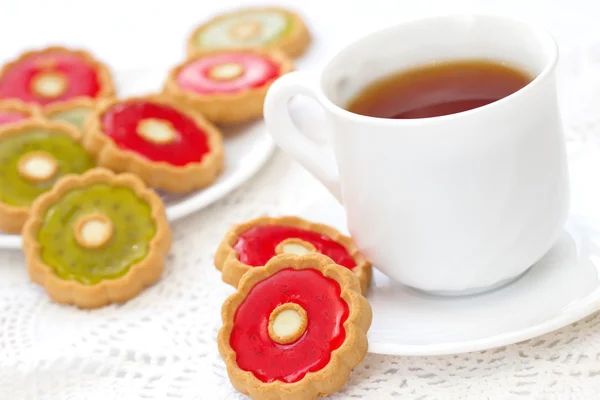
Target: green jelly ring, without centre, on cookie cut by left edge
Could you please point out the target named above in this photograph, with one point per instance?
(17, 191)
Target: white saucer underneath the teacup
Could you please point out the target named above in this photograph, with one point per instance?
(561, 289)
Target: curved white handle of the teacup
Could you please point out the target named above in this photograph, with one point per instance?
(318, 159)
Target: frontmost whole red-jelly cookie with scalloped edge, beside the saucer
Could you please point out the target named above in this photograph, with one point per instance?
(294, 329)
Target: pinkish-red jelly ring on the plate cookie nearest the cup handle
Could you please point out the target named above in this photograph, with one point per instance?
(256, 70)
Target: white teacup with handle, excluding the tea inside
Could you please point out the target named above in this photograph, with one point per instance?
(452, 204)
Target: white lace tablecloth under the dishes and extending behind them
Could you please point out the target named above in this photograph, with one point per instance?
(161, 345)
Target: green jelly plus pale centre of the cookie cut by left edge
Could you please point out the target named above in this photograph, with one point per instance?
(32, 161)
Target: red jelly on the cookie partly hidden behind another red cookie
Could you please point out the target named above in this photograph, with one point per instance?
(257, 245)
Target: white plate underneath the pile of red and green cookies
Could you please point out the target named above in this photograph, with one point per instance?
(247, 148)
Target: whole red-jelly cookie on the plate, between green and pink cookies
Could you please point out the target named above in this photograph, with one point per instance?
(168, 145)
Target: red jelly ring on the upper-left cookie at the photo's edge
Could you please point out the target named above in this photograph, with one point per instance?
(82, 78)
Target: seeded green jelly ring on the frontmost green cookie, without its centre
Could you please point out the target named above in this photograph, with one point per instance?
(133, 230)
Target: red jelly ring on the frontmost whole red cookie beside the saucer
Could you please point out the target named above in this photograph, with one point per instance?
(326, 313)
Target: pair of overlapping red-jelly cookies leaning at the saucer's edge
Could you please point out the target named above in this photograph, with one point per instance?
(298, 323)
